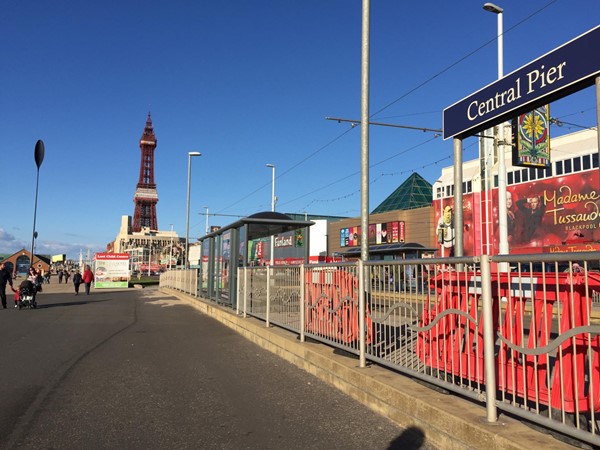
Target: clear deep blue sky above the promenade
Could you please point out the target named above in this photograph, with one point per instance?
(246, 83)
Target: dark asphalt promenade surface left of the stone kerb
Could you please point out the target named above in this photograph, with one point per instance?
(137, 369)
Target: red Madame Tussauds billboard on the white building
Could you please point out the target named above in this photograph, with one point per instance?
(559, 214)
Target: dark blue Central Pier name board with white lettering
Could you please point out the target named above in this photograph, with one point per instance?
(568, 68)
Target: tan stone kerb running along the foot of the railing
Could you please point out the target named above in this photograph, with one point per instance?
(445, 421)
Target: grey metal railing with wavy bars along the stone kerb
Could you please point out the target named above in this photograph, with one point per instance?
(526, 341)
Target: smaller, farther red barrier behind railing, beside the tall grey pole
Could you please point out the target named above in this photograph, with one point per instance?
(332, 305)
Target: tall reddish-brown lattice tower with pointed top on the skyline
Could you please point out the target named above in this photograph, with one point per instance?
(146, 197)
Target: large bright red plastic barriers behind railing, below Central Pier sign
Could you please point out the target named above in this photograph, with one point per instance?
(569, 379)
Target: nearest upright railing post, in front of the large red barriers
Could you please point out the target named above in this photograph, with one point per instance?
(488, 340)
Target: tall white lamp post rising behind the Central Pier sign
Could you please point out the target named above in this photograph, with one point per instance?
(499, 131)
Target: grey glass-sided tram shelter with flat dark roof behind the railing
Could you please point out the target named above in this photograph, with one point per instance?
(228, 248)
